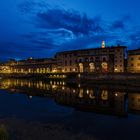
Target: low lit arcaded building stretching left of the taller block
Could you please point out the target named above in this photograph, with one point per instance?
(30, 66)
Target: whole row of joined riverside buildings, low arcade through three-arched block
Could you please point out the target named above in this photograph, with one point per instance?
(103, 59)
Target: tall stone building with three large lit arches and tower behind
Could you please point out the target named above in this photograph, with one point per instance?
(105, 59)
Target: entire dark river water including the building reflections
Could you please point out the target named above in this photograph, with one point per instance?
(37, 110)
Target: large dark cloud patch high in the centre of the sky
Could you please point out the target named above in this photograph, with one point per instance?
(70, 20)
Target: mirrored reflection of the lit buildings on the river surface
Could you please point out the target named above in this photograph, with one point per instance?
(100, 99)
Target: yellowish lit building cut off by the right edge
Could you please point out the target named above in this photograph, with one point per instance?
(134, 61)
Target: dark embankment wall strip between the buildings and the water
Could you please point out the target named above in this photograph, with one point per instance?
(125, 79)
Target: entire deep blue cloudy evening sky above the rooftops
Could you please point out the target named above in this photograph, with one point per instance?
(40, 28)
